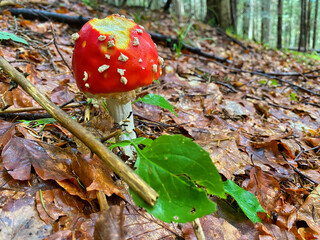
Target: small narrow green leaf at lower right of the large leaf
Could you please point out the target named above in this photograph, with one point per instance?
(246, 200)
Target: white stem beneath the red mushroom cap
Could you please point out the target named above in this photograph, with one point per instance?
(122, 115)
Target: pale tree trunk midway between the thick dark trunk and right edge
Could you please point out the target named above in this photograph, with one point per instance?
(265, 21)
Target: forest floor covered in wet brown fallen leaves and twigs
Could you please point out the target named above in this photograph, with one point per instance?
(257, 114)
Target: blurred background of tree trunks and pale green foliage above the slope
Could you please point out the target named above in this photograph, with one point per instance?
(288, 24)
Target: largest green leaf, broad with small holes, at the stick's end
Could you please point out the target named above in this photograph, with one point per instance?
(174, 166)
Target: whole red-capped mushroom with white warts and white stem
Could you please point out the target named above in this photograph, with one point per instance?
(112, 57)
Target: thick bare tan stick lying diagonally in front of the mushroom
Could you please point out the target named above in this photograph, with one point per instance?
(117, 165)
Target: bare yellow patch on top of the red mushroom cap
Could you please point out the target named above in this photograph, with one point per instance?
(117, 26)
